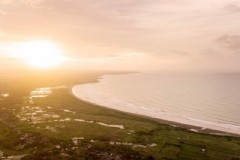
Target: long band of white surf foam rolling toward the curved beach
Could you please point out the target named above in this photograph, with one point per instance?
(88, 92)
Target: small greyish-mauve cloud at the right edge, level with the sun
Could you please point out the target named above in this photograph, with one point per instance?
(230, 41)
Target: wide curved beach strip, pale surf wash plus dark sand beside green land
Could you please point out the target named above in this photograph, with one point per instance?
(87, 93)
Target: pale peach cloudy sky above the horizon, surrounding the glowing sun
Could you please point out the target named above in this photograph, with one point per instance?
(141, 35)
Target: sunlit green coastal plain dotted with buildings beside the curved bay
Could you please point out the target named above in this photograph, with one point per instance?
(45, 130)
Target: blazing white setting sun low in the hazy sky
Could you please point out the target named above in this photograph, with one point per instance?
(40, 54)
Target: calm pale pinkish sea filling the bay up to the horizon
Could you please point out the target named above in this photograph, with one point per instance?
(211, 99)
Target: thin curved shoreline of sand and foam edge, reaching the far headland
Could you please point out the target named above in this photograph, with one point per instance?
(192, 125)
